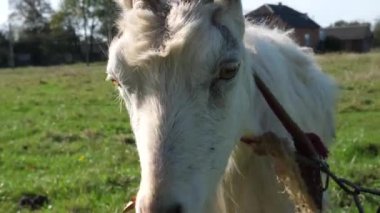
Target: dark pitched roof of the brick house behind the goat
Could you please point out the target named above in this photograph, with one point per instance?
(288, 15)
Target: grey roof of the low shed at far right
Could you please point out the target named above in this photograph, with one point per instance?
(349, 32)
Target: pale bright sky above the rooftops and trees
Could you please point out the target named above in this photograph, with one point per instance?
(324, 12)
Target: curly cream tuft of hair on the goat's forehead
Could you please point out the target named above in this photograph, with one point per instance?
(184, 30)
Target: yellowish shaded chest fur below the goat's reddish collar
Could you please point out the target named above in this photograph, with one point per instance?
(250, 185)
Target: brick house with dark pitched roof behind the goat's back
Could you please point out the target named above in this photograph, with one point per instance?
(306, 31)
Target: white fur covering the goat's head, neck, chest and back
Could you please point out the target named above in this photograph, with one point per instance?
(186, 133)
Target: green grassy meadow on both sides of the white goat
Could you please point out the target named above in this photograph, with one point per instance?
(64, 135)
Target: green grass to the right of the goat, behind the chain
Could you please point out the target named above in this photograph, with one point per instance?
(356, 152)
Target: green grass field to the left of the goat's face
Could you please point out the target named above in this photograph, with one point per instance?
(63, 135)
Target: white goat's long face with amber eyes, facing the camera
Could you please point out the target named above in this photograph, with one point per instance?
(177, 67)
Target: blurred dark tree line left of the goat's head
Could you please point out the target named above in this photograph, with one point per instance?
(78, 31)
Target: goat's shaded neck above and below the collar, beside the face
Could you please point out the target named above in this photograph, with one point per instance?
(249, 183)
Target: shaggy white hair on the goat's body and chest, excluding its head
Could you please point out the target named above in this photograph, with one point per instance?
(308, 96)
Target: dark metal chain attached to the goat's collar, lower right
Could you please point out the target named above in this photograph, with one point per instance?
(347, 186)
